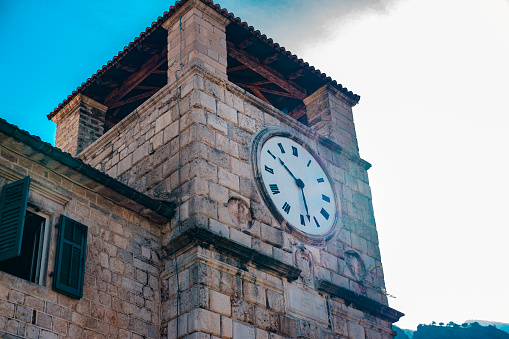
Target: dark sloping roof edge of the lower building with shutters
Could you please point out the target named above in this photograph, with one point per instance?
(32, 147)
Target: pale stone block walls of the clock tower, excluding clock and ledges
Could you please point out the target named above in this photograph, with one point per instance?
(217, 125)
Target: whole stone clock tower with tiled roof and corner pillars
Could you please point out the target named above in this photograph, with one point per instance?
(275, 235)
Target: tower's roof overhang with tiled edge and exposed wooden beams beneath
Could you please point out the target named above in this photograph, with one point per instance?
(255, 62)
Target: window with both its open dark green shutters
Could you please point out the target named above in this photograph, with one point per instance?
(24, 241)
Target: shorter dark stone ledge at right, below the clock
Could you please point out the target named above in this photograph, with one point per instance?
(359, 302)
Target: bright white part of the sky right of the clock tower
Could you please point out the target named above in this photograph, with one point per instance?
(433, 117)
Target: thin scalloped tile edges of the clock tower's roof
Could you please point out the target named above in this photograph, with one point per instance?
(160, 20)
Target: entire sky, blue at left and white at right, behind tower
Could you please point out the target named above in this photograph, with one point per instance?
(433, 77)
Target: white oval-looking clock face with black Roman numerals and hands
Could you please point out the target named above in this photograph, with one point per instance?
(297, 186)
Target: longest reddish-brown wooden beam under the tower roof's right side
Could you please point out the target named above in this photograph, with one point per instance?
(266, 72)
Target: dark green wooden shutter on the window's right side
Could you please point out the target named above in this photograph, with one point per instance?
(69, 273)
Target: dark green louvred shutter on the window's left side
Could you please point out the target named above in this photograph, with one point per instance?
(13, 205)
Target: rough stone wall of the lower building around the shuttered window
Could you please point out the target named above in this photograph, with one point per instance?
(121, 297)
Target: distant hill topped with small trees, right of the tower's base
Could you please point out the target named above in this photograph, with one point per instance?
(455, 331)
